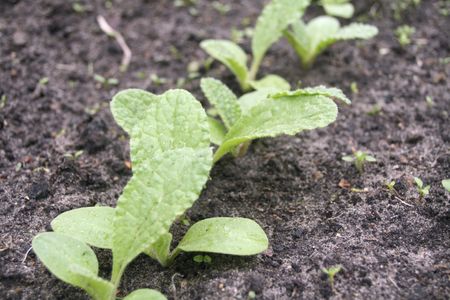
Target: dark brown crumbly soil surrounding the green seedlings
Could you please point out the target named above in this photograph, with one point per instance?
(298, 188)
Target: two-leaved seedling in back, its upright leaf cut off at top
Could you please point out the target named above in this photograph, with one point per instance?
(274, 19)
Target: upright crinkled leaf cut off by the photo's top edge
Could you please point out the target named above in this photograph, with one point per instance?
(275, 18)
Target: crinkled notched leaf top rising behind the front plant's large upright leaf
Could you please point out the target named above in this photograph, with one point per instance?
(169, 121)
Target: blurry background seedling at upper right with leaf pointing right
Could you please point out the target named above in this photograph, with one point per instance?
(310, 40)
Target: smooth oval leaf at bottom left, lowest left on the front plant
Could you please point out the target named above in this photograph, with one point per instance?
(73, 262)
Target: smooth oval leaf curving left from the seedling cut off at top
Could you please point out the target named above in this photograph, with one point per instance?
(230, 54)
